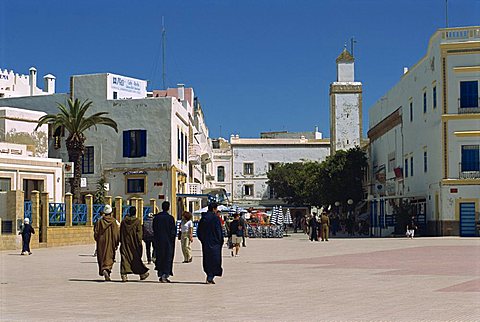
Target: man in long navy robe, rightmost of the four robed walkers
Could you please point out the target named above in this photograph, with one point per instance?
(209, 232)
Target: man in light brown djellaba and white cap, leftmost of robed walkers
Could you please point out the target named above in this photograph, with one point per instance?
(107, 235)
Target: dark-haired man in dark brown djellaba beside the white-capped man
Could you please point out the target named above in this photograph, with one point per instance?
(131, 247)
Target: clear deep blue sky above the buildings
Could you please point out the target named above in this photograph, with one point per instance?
(256, 65)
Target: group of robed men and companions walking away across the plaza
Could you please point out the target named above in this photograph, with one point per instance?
(159, 231)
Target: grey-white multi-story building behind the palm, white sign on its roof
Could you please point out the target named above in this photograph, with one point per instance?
(149, 157)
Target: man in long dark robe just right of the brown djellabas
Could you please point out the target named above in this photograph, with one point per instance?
(164, 232)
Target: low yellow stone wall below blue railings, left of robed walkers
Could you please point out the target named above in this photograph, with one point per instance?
(66, 236)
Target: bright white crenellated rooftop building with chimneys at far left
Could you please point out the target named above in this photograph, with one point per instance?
(16, 85)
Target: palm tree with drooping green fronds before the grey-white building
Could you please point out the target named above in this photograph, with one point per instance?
(73, 119)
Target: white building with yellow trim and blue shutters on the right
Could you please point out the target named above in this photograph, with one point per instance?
(425, 136)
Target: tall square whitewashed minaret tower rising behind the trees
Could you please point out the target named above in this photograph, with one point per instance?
(345, 106)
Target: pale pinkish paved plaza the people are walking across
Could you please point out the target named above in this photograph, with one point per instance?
(290, 279)
